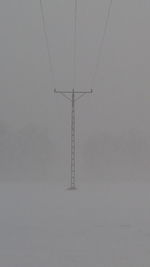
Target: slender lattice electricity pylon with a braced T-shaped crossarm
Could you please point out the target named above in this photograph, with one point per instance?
(71, 96)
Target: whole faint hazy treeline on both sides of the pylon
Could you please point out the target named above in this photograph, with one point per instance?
(30, 153)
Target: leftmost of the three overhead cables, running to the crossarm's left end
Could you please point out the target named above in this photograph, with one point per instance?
(51, 69)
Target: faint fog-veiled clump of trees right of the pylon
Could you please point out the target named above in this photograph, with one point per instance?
(118, 156)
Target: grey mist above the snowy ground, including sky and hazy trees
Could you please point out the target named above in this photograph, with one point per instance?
(113, 130)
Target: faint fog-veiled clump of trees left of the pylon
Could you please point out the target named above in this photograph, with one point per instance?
(27, 151)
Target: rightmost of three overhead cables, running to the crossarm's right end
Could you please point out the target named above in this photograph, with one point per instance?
(100, 48)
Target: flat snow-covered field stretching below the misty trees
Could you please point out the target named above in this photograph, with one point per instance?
(101, 225)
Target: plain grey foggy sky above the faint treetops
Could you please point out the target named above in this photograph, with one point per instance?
(120, 103)
